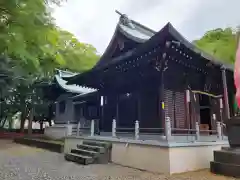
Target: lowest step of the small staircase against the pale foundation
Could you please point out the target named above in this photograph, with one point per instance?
(80, 159)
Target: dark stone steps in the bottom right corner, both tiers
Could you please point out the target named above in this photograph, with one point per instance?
(226, 162)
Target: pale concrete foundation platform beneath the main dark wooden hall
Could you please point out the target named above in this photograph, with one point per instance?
(156, 156)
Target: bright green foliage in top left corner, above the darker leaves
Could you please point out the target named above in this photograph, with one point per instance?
(24, 32)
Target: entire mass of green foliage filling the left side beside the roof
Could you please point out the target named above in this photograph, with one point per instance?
(31, 47)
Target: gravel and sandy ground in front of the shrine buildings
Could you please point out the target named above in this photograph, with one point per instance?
(19, 162)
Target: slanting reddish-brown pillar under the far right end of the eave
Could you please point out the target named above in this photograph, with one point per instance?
(225, 95)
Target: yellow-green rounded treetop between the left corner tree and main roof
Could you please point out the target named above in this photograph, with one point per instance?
(71, 54)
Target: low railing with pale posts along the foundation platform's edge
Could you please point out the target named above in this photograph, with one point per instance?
(168, 134)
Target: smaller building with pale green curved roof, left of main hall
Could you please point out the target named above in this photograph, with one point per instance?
(67, 108)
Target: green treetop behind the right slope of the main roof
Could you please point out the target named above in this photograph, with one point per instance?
(220, 43)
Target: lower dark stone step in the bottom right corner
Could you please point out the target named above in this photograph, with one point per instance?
(225, 169)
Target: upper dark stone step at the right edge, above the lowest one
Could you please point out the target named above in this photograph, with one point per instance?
(230, 157)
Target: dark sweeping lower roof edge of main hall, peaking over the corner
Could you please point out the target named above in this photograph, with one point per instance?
(167, 31)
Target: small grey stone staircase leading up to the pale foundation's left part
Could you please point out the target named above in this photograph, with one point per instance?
(90, 152)
